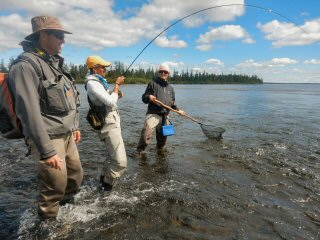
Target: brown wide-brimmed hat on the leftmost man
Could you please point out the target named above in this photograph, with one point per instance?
(40, 23)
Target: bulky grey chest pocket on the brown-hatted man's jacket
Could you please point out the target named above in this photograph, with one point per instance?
(57, 97)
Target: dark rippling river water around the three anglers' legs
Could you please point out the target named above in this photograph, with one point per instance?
(261, 181)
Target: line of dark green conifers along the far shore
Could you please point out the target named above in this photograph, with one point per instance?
(140, 75)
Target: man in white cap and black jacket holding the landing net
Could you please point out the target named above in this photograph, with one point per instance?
(160, 89)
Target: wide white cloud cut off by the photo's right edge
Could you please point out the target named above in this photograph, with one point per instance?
(289, 34)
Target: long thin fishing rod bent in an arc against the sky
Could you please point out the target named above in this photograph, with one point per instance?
(205, 9)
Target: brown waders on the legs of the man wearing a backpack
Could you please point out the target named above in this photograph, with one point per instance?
(55, 185)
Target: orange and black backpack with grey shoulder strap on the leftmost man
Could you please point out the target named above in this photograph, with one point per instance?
(10, 124)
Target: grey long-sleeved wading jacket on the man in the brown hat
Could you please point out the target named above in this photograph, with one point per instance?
(47, 106)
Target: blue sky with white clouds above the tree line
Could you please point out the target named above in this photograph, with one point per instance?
(277, 40)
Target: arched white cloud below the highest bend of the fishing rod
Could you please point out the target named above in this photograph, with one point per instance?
(224, 33)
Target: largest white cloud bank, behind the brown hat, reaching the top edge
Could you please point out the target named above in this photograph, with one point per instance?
(96, 25)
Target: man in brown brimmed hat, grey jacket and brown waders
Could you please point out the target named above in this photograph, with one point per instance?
(46, 102)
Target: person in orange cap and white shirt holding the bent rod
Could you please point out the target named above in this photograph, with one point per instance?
(100, 94)
